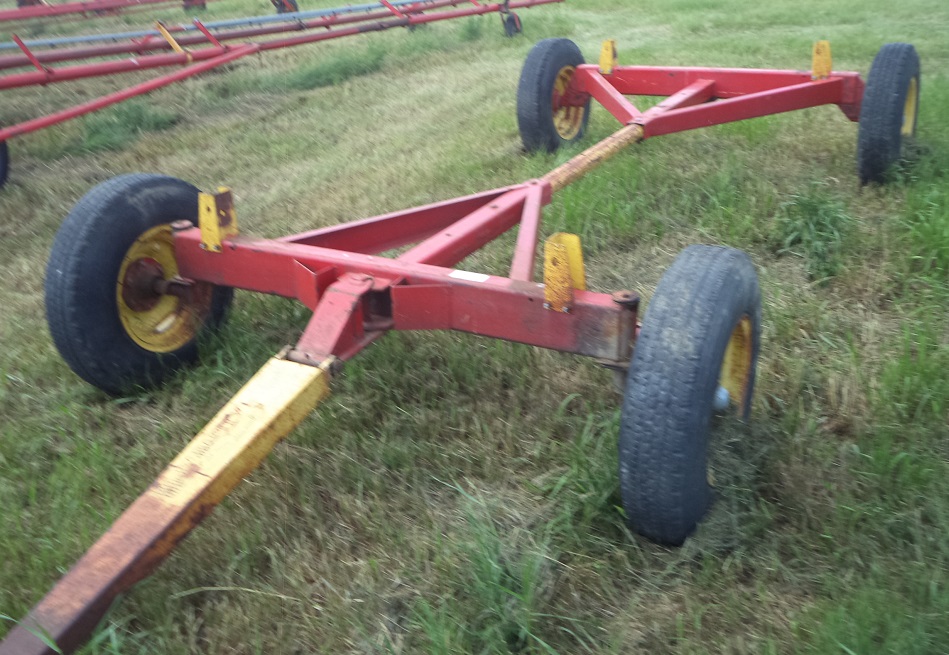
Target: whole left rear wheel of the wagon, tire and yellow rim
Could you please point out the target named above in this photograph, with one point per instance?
(546, 116)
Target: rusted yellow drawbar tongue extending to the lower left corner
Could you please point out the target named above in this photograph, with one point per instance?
(265, 410)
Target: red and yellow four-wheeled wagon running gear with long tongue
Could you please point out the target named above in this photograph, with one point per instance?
(144, 263)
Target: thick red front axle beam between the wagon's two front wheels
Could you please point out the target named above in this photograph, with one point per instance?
(450, 299)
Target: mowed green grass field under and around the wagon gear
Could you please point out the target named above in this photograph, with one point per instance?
(460, 495)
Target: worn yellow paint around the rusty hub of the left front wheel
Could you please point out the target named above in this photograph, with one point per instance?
(170, 322)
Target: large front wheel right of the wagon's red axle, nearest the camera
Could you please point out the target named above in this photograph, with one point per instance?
(699, 339)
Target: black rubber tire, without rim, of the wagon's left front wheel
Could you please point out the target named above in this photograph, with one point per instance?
(83, 269)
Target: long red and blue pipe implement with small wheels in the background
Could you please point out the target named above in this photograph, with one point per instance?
(167, 47)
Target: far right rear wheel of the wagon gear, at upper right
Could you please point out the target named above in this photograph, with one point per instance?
(888, 111)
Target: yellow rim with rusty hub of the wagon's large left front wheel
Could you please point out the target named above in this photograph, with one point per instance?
(156, 322)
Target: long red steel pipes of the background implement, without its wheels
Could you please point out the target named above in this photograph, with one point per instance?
(214, 54)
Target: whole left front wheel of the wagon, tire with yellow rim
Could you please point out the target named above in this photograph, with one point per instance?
(106, 315)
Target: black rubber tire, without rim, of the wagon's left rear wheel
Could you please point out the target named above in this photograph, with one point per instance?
(535, 114)
